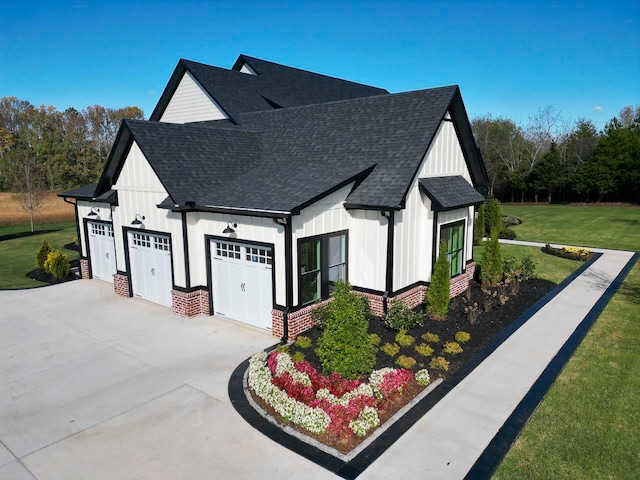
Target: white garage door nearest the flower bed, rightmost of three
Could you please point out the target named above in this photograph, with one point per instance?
(242, 282)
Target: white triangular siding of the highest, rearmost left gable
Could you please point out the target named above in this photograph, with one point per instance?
(191, 103)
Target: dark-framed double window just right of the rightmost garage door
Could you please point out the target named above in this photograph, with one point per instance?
(322, 261)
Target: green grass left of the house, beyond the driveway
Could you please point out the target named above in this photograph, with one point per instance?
(18, 255)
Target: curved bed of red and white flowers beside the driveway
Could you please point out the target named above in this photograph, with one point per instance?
(319, 403)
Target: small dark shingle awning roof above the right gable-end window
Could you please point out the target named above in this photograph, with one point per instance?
(447, 193)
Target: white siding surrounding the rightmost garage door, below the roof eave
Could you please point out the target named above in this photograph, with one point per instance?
(248, 230)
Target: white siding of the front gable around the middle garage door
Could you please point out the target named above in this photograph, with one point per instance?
(139, 192)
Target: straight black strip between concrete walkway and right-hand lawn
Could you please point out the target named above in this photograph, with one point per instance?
(494, 453)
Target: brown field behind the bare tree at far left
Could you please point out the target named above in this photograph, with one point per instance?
(53, 209)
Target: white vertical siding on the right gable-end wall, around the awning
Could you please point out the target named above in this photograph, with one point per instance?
(413, 242)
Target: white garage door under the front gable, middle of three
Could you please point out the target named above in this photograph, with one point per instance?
(150, 263)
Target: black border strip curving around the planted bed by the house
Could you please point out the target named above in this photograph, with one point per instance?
(351, 469)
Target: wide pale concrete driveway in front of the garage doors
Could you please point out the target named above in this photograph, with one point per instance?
(94, 386)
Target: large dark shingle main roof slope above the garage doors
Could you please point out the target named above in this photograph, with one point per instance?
(283, 159)
